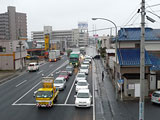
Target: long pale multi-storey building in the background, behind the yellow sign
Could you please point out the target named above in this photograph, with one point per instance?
(65, 38)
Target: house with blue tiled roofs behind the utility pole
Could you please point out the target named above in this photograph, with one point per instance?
(128, 54)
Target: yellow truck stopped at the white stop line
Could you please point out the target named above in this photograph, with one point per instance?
(47, 95)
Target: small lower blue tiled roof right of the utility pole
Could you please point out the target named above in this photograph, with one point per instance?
(155, 63)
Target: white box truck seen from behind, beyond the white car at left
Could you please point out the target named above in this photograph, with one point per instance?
(54, 55)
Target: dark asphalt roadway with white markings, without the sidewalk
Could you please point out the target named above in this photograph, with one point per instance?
(18, 103)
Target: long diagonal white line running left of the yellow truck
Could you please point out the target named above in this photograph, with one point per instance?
(38, 84)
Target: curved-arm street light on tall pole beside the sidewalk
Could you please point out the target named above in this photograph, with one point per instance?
(116, 79)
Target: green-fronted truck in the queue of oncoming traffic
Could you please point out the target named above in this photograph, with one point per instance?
(74, 59)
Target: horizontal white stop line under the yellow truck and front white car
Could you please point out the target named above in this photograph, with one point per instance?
(34, 104)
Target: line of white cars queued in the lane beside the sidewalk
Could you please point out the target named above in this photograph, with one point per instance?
(83, 95)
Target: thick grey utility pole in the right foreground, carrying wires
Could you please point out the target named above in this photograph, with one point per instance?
(142, 62)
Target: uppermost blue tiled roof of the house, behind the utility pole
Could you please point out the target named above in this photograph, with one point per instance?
(134, 34)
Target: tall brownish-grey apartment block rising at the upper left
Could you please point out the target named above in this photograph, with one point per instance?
(13, 25)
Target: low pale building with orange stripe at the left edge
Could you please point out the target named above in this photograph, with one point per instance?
(12, 54)
